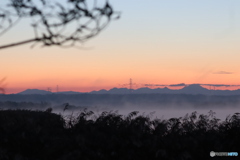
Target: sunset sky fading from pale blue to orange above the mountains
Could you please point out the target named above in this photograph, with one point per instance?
(154, 42)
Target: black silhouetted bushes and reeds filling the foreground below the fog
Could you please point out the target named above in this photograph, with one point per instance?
(42, 135)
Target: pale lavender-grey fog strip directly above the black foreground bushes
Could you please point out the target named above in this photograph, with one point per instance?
(156, 112)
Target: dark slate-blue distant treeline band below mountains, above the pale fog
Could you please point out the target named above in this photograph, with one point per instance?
(138, 100)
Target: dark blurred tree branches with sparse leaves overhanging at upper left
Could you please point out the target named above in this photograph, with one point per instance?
(64, 23)
